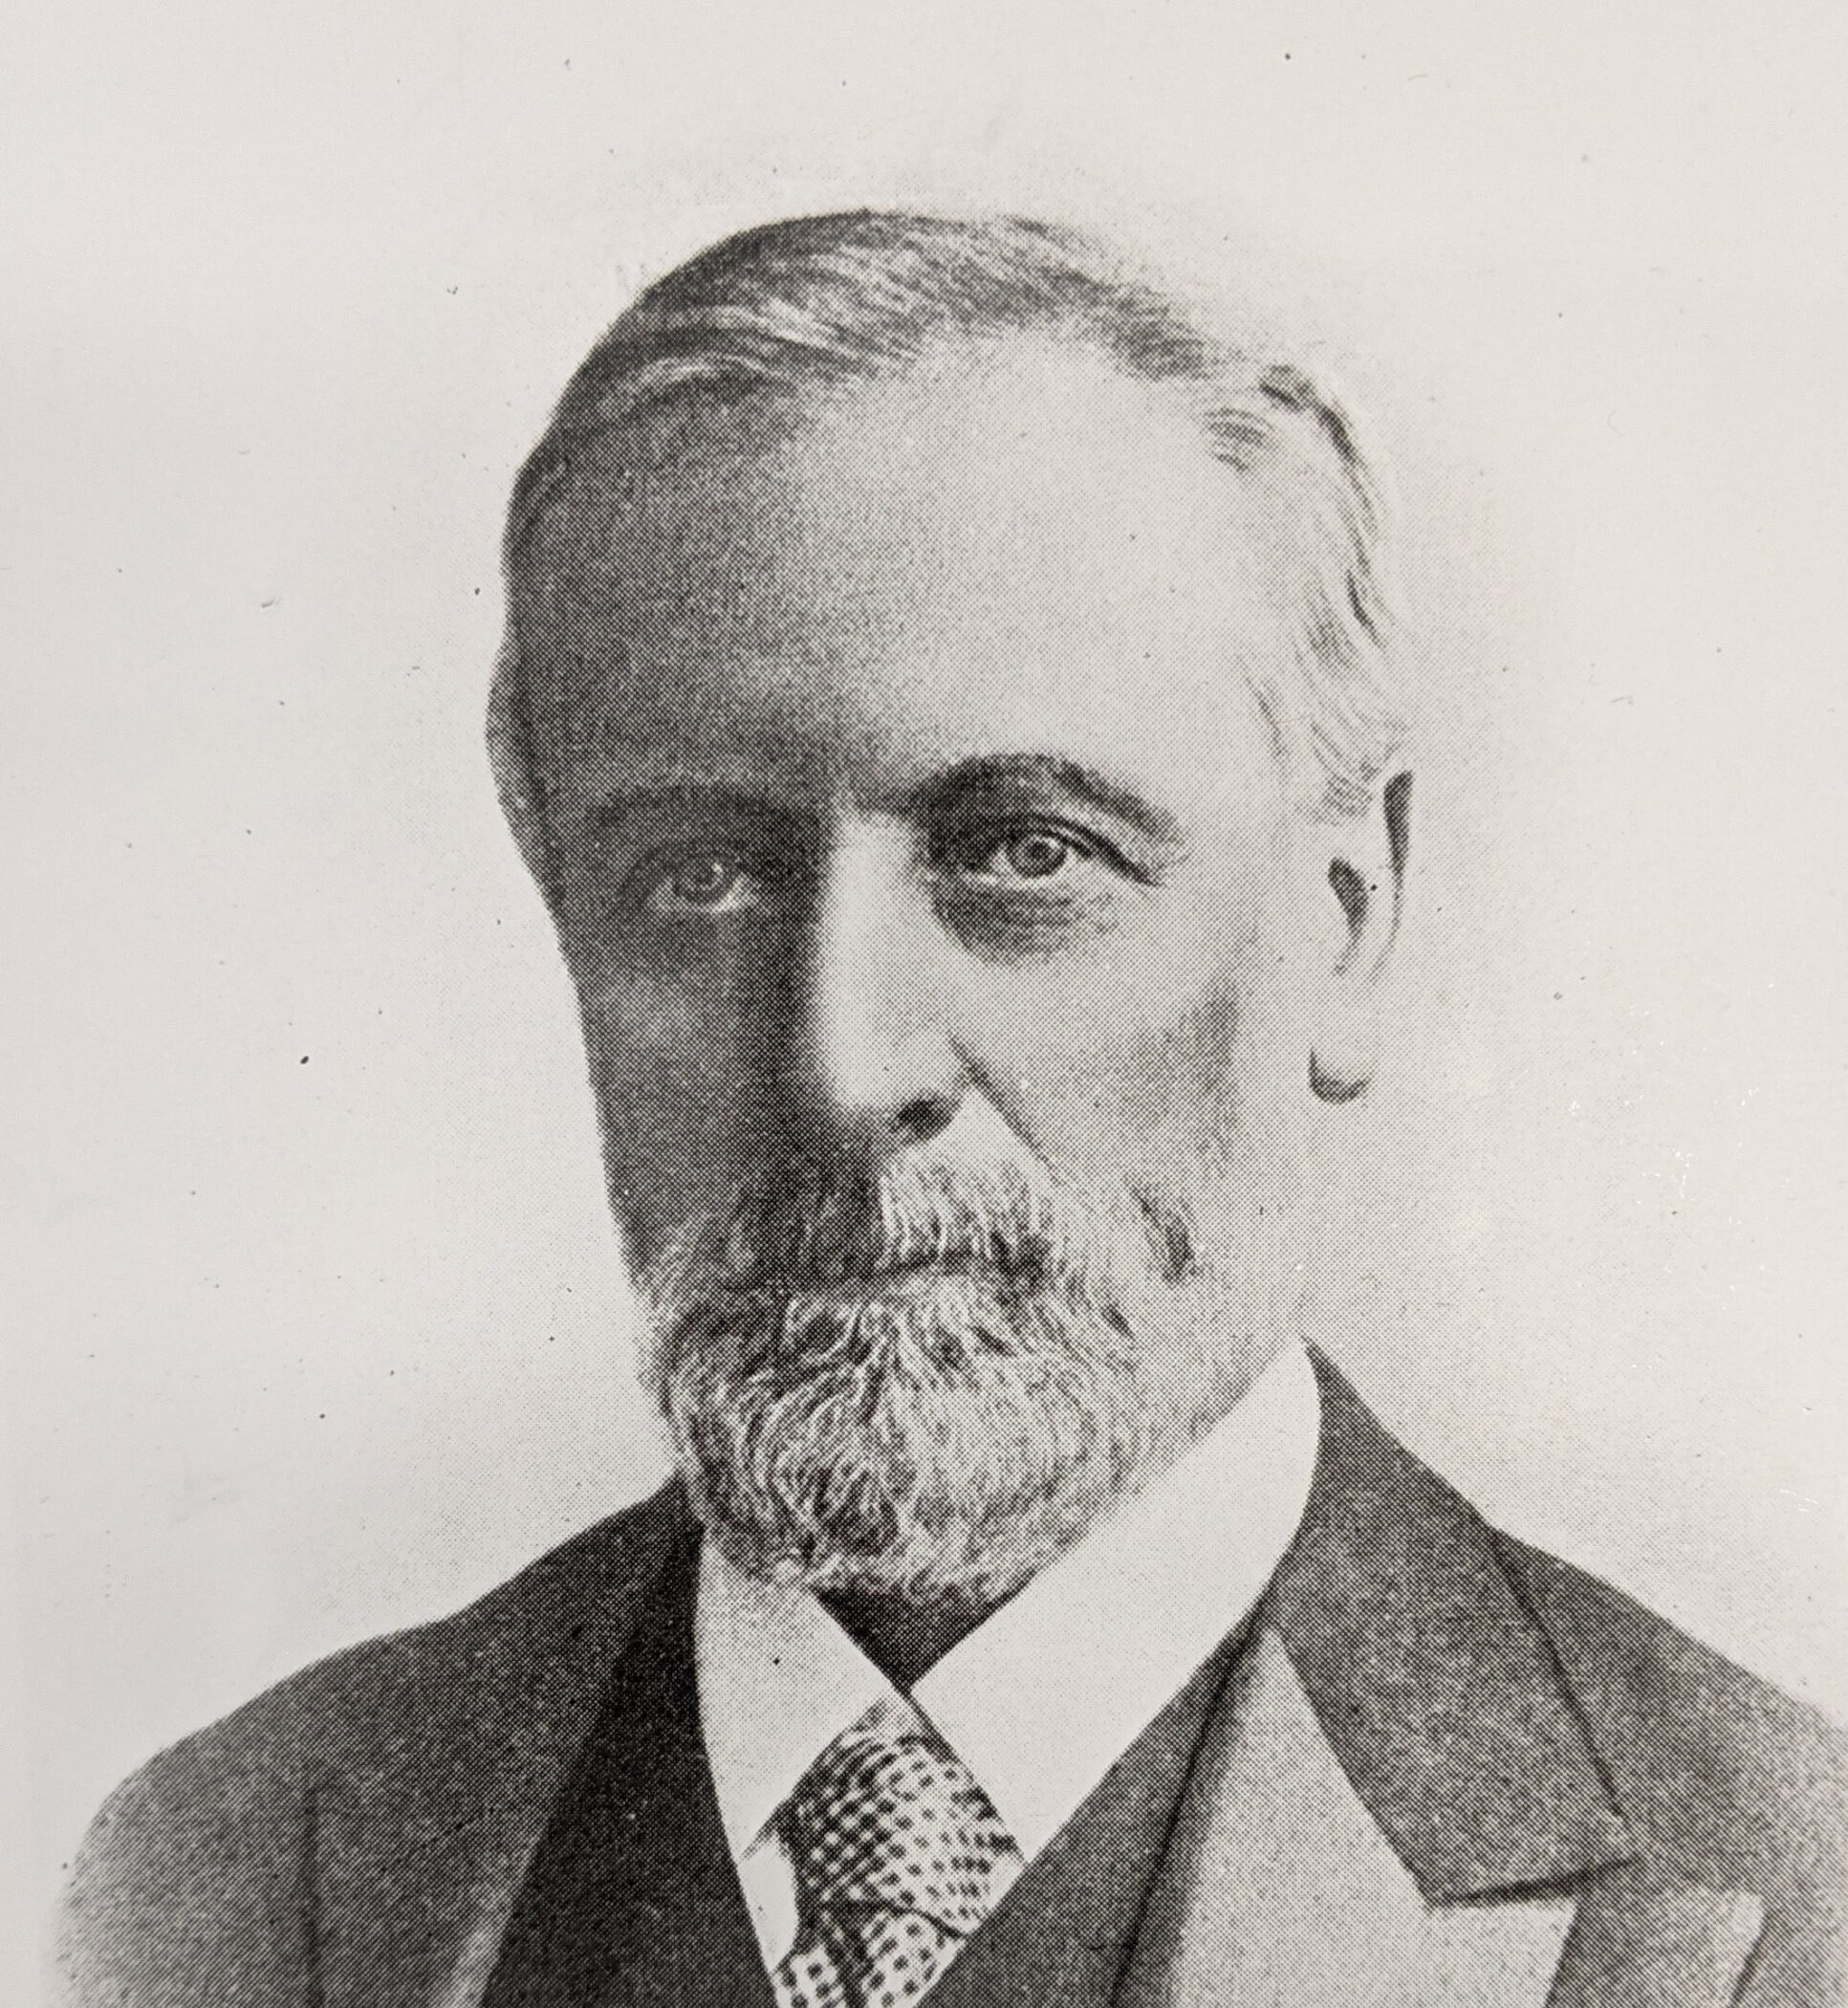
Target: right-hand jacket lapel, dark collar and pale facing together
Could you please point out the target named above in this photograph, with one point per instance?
(1399, 1802)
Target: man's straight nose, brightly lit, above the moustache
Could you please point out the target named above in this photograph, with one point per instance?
(881, 1067)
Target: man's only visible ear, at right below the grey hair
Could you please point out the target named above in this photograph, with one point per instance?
(1367, 883)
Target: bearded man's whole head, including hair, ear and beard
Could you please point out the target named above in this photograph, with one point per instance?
(945, 712)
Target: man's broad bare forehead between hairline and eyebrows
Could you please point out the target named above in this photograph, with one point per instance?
(1013, 551)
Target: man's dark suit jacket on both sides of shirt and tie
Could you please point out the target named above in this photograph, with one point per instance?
(1437, 1768)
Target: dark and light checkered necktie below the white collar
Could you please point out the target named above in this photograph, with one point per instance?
(899, 1856)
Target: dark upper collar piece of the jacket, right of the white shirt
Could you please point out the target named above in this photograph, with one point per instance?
(1433, 1682)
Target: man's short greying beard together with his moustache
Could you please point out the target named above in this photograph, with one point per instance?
(923, 1389)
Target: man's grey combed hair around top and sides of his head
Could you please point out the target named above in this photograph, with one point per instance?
(863, 296)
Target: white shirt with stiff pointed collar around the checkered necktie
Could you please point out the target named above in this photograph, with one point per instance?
(1044, 1698)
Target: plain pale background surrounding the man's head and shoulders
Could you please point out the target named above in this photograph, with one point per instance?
(312, 1310)
